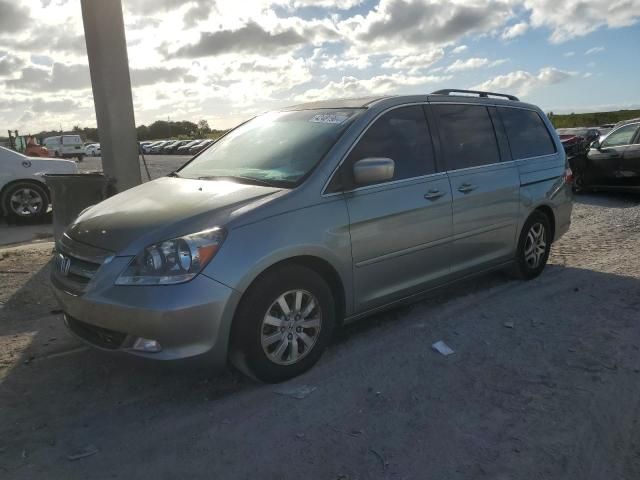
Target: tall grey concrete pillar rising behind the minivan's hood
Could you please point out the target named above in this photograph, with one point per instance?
(109, 66)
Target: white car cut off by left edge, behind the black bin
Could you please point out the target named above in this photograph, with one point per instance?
(23, 192)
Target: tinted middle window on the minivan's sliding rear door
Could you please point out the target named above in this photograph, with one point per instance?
(466, 135)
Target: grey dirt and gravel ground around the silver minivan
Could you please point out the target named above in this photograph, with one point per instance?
(544, 384)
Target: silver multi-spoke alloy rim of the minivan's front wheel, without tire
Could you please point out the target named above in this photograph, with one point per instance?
(291, 327)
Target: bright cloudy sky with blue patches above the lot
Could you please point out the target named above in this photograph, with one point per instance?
(225, 60)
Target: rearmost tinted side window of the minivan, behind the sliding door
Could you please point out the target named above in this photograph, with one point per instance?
(528, 136)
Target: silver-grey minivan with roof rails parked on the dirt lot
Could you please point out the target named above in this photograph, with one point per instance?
(303, 219)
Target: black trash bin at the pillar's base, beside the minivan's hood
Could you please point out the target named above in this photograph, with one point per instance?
(72, 193)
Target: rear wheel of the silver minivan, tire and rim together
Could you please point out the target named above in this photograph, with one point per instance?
(534, 246)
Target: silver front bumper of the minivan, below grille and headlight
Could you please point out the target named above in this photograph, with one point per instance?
(188, 320)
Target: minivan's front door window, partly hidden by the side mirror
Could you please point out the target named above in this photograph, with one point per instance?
(401, 135)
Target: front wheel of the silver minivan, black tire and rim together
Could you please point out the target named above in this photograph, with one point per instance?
(284, 323)
